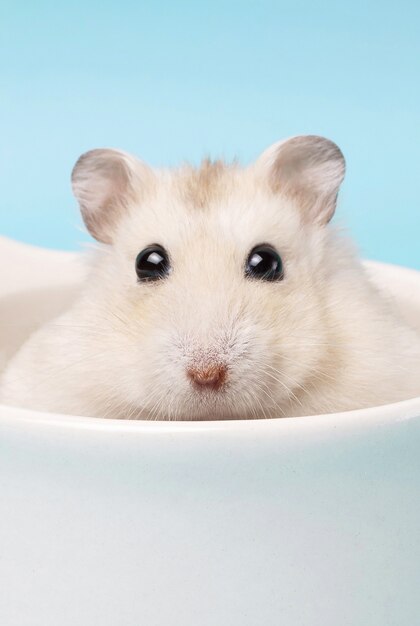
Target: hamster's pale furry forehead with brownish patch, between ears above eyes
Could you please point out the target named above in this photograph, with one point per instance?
(213, 203)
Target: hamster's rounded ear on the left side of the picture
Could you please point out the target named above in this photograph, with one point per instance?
(103, 182)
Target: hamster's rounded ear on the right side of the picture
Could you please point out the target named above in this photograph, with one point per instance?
(309, 169)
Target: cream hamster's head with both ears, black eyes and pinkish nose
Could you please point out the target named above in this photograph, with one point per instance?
(207, 293)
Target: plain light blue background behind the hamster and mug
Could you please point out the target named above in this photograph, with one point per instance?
(178, 80)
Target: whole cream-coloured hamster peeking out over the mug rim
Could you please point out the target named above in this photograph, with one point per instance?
(220, 292)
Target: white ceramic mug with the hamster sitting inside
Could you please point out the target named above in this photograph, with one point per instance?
(309, 521)
